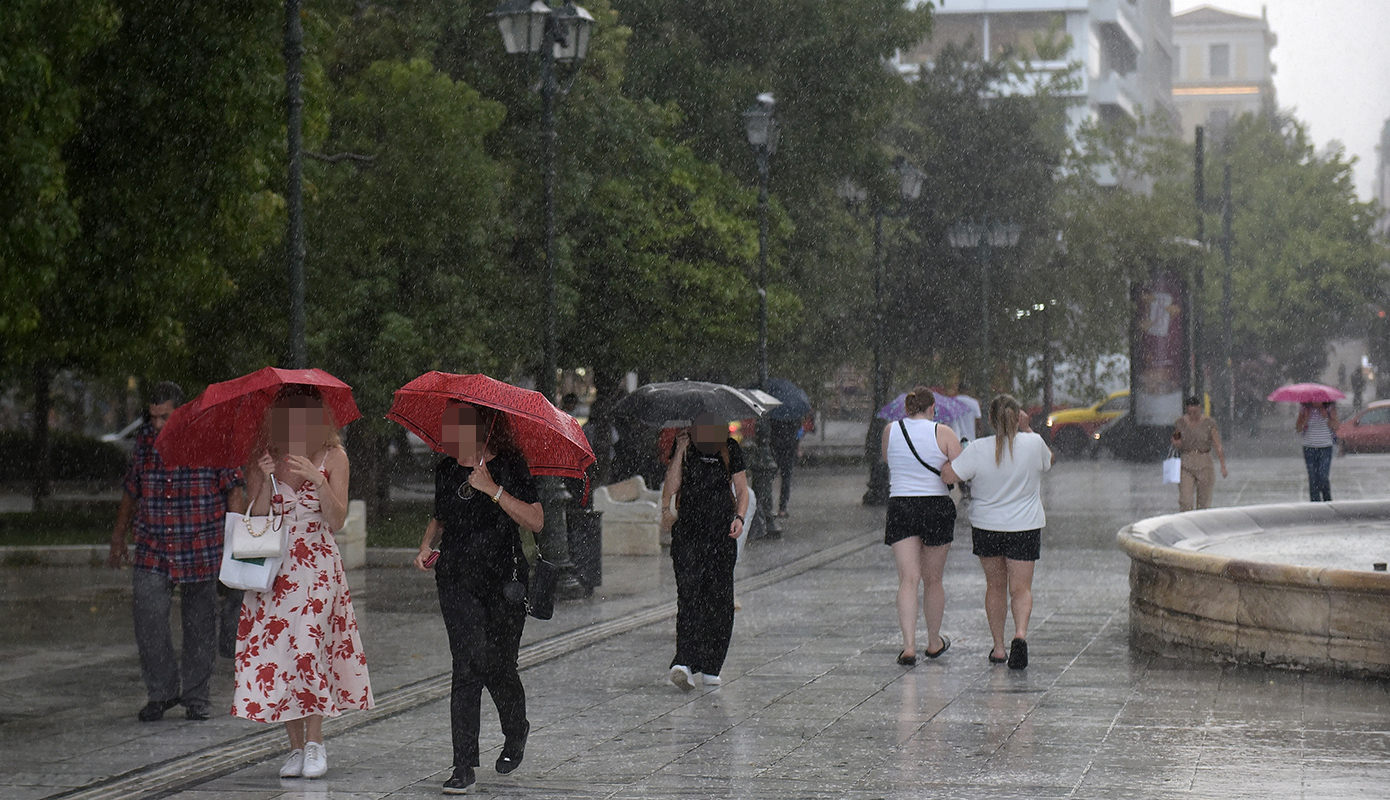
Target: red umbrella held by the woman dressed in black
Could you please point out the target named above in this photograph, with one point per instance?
(551, 441)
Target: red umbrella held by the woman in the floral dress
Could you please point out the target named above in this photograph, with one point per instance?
(219, 428)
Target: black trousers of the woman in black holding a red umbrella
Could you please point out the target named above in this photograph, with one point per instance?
(484, 637)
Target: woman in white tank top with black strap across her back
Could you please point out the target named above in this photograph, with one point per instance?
(921, 520)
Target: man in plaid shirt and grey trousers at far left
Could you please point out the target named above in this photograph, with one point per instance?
(179, 519)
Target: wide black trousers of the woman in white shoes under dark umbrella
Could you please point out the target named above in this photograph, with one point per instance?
(704, 558)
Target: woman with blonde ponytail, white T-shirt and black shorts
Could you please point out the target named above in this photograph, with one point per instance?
(1007, 520)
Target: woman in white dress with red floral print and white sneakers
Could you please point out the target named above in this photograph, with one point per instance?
(300, 656)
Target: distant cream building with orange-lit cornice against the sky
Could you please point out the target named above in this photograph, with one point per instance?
(1221, 67)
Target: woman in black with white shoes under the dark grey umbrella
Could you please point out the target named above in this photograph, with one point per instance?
(711, 491)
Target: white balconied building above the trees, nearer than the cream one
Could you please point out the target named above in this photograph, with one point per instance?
(1124, 47)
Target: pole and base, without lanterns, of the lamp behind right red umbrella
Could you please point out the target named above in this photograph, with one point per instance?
(555, 498)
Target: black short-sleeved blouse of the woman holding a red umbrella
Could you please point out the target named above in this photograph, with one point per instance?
(480, 542)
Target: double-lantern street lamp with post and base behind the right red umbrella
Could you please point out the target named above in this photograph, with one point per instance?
(558, 37)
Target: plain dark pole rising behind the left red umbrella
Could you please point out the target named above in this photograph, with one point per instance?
(295, 184)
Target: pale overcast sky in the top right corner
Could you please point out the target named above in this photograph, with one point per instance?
(1334, 59)
